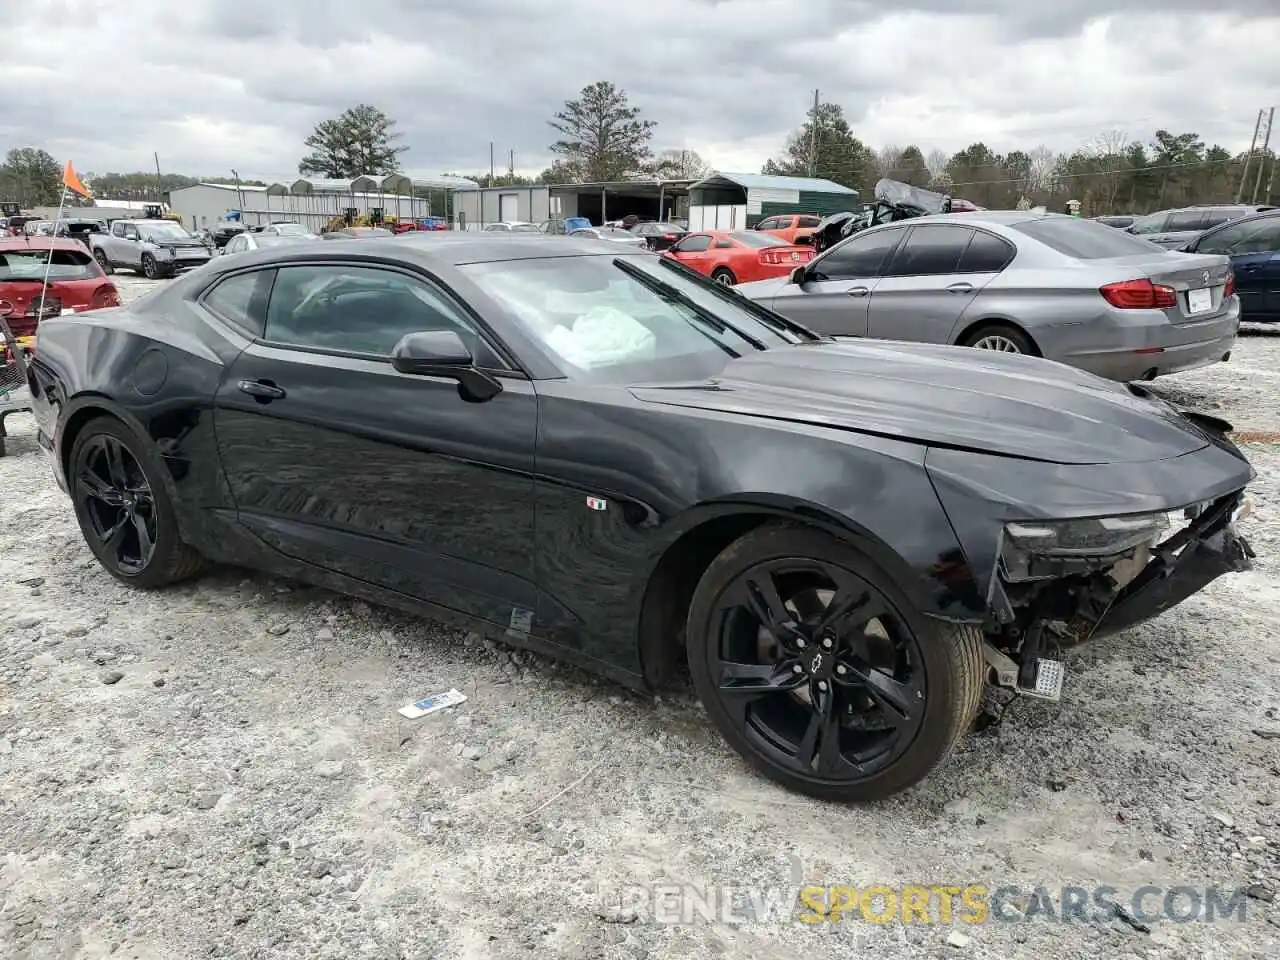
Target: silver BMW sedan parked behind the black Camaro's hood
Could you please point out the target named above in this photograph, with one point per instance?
(1053, 286)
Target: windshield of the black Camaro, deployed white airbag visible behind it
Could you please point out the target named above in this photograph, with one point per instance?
(628, 319)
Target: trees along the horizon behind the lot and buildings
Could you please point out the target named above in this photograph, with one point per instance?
(602, 138)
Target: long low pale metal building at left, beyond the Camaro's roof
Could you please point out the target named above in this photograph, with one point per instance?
(313, 203)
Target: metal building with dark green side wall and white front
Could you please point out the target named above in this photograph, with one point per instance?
(730, 202)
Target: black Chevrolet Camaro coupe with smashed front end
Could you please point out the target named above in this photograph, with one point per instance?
(606, 459)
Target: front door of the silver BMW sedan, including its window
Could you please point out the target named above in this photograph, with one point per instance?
(835, 294)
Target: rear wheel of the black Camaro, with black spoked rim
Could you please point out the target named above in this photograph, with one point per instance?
(102, 511)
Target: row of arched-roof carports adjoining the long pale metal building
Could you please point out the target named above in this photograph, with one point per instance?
(391, 195)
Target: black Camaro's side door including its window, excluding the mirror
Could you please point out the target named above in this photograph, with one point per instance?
(337, 460)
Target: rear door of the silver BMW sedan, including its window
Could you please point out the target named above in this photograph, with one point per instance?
(922, 291)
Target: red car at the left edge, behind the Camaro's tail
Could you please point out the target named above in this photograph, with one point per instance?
(76, 282)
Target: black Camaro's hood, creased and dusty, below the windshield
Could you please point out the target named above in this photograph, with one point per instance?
(952, 397)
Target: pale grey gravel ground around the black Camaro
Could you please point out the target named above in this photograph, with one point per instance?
(218, 771)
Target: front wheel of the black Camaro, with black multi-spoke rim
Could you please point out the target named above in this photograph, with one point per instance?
(948, 689)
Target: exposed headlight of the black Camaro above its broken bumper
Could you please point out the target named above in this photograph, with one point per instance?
(1037, 550)
